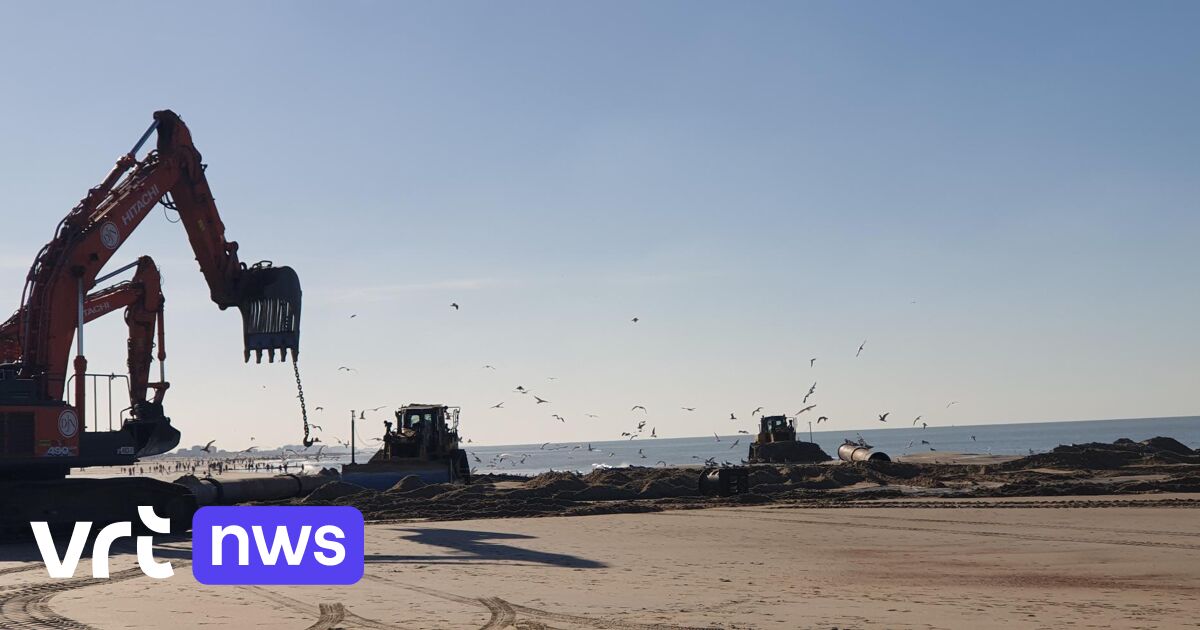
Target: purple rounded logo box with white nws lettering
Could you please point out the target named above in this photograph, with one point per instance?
(278, 545)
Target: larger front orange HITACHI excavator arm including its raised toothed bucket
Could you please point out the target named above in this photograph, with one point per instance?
(67, 268)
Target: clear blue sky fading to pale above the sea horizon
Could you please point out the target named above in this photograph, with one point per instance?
(1001, 200)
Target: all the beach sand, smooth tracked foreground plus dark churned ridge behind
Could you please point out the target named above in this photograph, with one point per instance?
(1084, 537)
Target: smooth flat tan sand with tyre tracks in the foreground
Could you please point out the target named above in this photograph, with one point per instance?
(1109, 562)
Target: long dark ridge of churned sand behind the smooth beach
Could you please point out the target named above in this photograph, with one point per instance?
(1159, 465)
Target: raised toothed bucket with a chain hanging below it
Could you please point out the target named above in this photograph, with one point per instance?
(271, 311)
